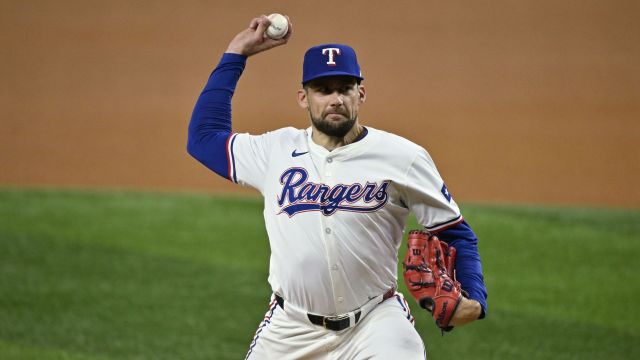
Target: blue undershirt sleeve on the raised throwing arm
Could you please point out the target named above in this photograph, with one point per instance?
(210, 125)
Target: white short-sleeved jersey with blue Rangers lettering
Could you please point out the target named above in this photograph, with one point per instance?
(335, 219)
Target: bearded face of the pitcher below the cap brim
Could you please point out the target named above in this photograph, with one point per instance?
(332, 103)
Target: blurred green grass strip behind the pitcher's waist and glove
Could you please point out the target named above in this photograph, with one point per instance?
(125, 275)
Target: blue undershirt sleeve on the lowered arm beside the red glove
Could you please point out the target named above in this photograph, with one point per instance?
(468, 264)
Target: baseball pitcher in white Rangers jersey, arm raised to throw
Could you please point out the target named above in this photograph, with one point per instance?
(336, 198)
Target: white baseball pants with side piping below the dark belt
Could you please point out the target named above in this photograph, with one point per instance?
(387, 332)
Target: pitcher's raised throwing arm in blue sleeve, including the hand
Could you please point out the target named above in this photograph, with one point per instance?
(210, 126)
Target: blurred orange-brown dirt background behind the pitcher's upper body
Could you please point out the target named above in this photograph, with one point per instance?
(531, 101)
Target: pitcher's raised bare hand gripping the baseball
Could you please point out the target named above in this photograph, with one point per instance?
(253, 40)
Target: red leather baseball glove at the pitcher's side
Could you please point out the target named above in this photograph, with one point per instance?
(430, 276)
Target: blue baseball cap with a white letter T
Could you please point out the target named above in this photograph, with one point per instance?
(330, 60)
